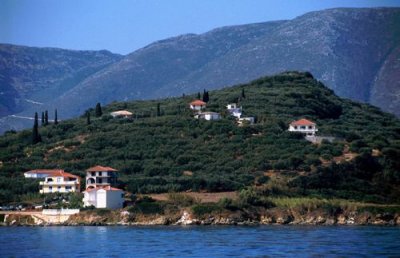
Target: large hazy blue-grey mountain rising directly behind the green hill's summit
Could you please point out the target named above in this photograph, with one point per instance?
(353, 51)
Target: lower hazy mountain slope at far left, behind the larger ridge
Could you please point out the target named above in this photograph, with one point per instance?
(30, 76)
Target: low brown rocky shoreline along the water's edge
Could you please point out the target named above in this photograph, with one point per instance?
(270, 217)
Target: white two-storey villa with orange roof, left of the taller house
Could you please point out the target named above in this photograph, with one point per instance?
(59, 181)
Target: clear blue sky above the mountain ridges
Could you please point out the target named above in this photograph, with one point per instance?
(123, 26)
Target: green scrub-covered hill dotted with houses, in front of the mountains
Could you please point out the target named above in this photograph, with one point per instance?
(172, 151)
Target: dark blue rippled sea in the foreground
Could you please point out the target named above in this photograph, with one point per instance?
(201, 241)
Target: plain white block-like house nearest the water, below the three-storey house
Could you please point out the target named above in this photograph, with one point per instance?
(104, 197)
